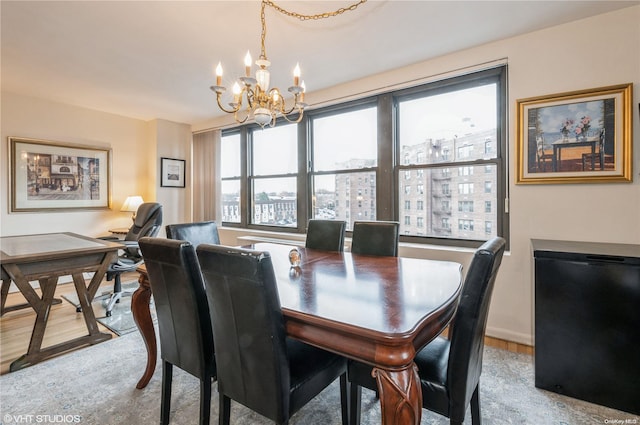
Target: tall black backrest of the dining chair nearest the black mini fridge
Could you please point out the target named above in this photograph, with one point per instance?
(469, 324)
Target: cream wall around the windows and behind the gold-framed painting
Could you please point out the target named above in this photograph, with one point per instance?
(595, 52)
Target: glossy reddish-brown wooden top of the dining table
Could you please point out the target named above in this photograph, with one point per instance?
(384, 295)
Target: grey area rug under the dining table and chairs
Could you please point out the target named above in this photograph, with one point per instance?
(96, 386)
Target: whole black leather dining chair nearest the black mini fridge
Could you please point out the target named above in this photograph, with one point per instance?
(449, 369)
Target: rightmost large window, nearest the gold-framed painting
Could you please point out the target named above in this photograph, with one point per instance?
(459, 126)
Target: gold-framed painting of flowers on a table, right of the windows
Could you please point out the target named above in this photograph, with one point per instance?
(575, 137)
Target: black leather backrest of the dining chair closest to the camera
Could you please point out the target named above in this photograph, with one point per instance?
(248, 328)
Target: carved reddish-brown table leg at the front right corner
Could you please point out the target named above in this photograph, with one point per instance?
(400, 395)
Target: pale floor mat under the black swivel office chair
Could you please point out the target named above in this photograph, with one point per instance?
(121, 320)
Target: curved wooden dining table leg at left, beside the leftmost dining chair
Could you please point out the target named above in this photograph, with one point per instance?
(142, 316)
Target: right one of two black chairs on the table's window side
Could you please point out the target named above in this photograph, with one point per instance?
(375, 238)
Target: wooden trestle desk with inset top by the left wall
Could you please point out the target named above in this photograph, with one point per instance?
(45, 258)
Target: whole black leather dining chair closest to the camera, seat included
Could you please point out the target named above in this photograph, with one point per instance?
(258, 366)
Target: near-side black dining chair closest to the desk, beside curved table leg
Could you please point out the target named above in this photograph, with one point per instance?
(184, 322)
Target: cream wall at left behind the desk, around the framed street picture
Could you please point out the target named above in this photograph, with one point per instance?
(136, 146)
